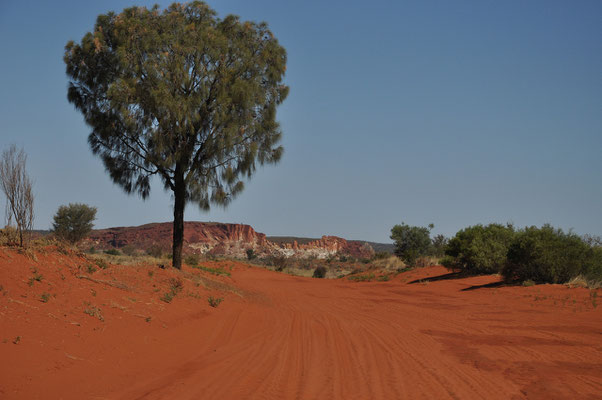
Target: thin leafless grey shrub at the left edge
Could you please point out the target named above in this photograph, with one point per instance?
(17, 188)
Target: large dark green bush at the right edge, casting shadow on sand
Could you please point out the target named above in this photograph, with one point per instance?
(548, 255)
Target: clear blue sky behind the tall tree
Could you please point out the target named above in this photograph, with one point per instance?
(450, 112)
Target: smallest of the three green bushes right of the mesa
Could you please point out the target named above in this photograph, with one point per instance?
(411, 242)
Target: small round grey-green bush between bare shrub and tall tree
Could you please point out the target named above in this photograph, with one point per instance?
(73, 222)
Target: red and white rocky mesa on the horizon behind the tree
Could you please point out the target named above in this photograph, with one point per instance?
(214, 238)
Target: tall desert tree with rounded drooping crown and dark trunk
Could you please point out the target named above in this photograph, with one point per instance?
(182, 95)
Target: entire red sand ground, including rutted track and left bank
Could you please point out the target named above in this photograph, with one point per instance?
(281, 337)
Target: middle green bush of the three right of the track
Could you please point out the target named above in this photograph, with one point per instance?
(479, 249)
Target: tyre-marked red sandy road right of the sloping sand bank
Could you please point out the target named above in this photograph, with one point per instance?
(317, 339)
